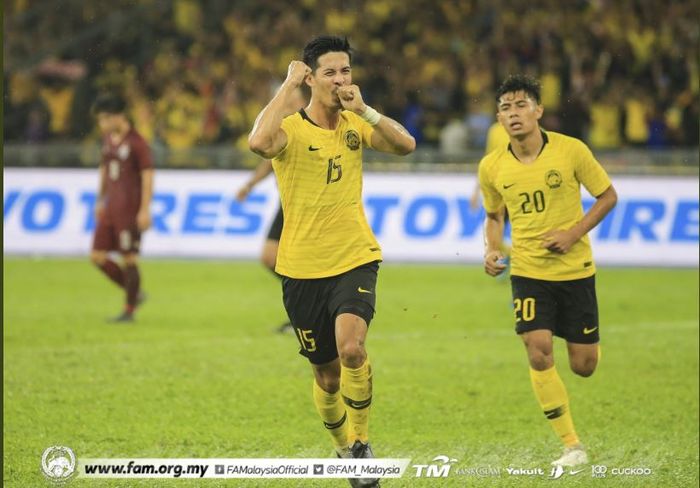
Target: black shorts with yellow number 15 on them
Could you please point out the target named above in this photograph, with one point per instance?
(313, 305)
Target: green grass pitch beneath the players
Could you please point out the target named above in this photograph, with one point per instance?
(201, 375)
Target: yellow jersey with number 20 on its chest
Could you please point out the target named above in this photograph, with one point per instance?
(542, 196)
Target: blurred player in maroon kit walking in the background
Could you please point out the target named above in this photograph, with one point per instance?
(122, 210)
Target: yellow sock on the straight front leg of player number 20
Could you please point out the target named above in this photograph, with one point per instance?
(551, 394)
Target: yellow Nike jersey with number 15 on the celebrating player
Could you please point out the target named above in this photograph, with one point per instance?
(319, 175)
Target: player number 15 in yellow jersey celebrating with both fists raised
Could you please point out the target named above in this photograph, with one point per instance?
(328, 256)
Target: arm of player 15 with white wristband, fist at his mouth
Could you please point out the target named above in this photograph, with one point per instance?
(388, 136)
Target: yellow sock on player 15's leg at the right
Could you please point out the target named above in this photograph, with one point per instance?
(356, 389)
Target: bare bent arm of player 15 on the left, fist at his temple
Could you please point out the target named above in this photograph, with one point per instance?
(267, 137)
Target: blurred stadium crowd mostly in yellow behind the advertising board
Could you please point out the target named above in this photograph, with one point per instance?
(614, 73)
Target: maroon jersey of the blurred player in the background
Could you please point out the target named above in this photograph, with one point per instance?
(123, 163)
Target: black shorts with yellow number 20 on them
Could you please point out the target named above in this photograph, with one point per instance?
(568, 308)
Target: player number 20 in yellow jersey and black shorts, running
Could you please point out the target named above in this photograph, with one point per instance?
(537, 179)
